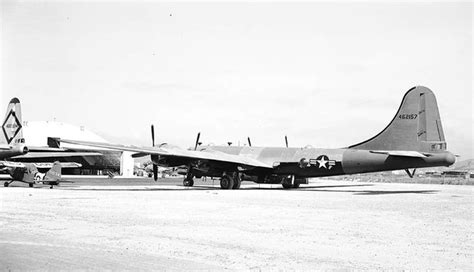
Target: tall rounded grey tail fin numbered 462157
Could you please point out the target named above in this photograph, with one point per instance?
(416, 126)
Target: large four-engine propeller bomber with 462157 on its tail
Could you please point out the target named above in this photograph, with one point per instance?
(413, 139)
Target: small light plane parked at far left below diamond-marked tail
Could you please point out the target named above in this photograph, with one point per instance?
(29, 173)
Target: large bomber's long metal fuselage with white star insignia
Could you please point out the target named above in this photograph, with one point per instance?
(318, 162)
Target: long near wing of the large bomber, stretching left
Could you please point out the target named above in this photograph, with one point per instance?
(177, 152)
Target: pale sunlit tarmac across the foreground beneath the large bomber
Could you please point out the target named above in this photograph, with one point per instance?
(129, 224)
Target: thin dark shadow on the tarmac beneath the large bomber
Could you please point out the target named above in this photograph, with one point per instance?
(324, 188)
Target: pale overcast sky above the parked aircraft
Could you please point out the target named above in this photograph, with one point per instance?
(328, 75)
